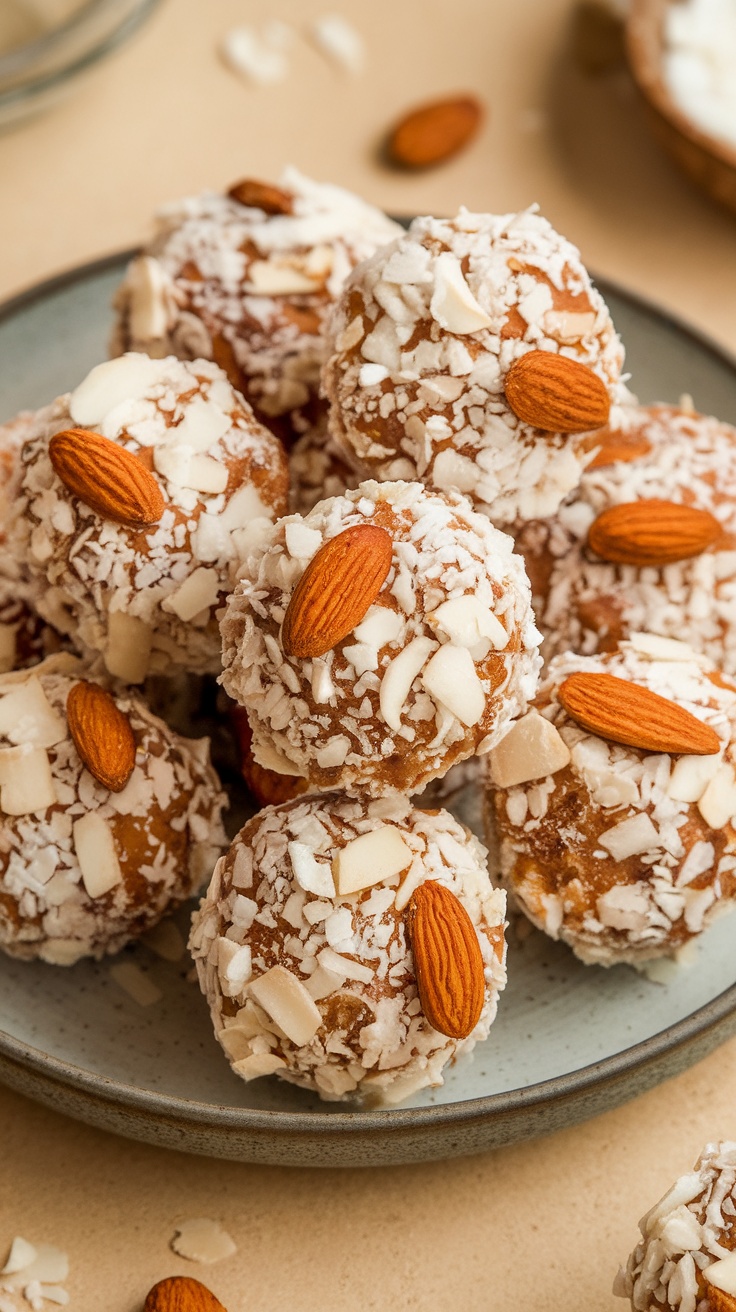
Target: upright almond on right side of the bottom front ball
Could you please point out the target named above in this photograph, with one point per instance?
(448, 961)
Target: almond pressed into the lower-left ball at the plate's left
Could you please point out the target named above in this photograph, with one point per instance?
(102, 735)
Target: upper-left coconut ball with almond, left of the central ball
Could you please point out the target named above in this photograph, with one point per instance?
(141, 495)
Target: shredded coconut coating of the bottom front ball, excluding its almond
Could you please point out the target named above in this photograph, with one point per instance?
(350, 953)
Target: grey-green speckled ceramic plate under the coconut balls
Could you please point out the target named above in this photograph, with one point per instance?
(570, 1041)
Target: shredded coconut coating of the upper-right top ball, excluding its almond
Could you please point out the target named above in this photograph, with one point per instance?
(422, 343)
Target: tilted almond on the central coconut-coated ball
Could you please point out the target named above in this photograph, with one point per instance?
(337, 591)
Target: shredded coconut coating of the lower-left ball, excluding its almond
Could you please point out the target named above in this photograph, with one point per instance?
(165, 827)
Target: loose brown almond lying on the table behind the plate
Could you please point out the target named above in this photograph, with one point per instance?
(435, 133)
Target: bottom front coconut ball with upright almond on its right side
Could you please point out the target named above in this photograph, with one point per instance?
(304, 947)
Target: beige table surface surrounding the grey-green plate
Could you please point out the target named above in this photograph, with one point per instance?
(540, 1227)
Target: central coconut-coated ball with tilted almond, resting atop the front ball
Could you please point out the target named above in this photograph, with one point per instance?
(380, 640)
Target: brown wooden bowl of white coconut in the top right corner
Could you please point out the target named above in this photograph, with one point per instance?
(712, 163)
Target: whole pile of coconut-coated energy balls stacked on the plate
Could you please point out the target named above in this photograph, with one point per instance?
(443, 410)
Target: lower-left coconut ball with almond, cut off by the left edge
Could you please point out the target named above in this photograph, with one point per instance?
(110, 819)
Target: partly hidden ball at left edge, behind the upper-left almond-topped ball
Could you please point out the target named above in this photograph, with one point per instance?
(24, 637)
